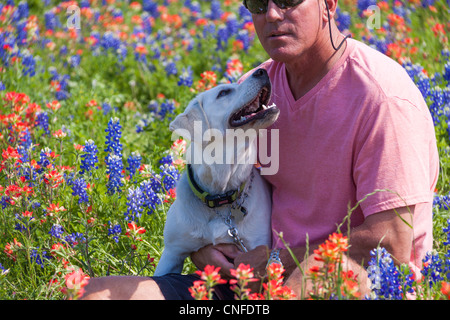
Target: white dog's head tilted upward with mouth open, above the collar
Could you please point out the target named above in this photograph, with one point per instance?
(231, 106)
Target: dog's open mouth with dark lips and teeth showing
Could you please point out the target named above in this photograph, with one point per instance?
(256, 109)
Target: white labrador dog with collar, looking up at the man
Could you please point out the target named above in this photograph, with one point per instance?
(225, 200)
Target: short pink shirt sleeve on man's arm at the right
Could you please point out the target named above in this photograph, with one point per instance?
(394, 156)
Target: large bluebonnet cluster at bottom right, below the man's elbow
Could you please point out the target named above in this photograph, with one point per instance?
(387, 281)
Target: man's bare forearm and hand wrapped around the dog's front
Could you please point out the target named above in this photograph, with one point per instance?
(389, 229)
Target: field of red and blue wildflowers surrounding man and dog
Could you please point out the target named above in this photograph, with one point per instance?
(88, 167)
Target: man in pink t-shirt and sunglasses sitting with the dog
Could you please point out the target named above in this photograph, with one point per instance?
(351, 123)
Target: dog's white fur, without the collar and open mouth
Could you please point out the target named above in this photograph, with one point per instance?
(190, 224)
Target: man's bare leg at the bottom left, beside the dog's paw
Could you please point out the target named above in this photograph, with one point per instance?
(122, 288)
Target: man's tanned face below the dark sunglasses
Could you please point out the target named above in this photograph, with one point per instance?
(287, 33)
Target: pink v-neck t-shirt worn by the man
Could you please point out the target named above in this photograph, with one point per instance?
(364, 126)
